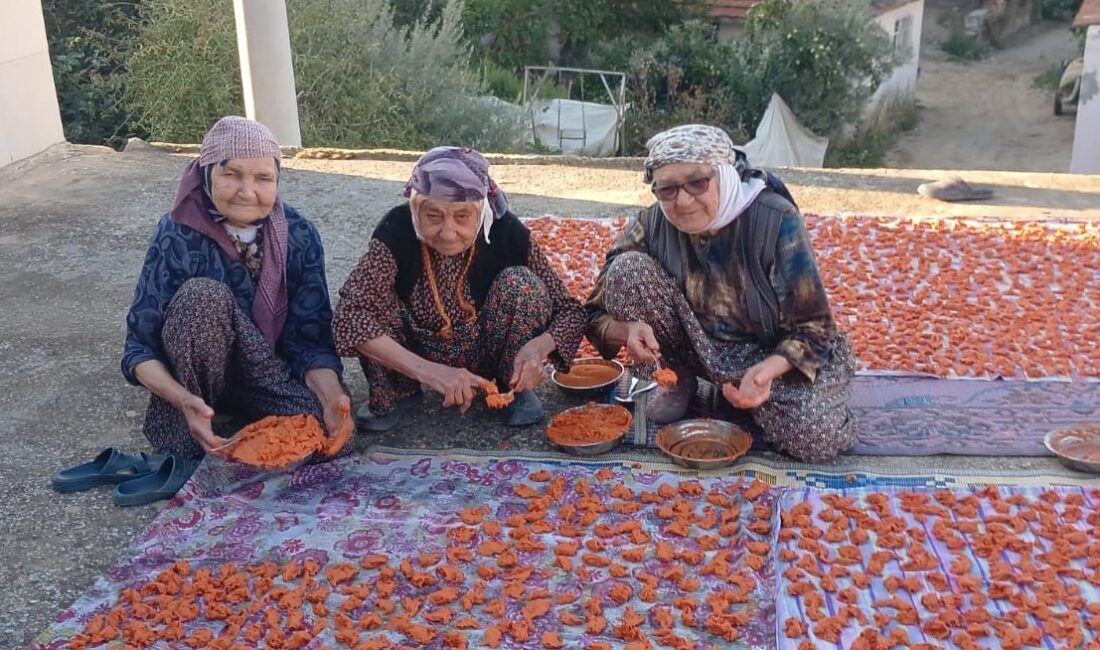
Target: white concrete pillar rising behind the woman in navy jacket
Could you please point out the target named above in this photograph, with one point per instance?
(263, 40)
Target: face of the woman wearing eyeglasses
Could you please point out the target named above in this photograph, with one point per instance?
(690, 214)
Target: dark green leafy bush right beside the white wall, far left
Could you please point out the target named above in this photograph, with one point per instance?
(89, 46)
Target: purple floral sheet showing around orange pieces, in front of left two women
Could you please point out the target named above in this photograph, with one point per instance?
(344, 511)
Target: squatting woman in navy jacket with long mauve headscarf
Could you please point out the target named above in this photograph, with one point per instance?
(232, 312)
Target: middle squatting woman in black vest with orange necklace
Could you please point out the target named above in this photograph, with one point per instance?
(450, 293)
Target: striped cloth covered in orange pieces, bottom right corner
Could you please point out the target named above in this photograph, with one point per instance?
(981, 568)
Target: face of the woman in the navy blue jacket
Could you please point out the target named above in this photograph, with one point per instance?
(245, 190)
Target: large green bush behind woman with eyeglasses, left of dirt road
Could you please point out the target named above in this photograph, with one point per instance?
(824, 60)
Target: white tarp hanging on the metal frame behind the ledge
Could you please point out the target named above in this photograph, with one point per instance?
(577, 128)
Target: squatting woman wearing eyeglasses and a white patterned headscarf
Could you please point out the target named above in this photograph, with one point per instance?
(718, 279)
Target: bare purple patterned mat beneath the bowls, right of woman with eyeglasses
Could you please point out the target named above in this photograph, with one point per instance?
(911, 416)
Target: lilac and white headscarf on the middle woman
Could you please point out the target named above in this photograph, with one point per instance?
(455, 174)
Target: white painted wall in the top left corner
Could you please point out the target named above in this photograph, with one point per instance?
(30, 120)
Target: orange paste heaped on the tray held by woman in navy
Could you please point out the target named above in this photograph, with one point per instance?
(277, 442)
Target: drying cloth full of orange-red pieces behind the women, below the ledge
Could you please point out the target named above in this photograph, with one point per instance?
(951, 299)
